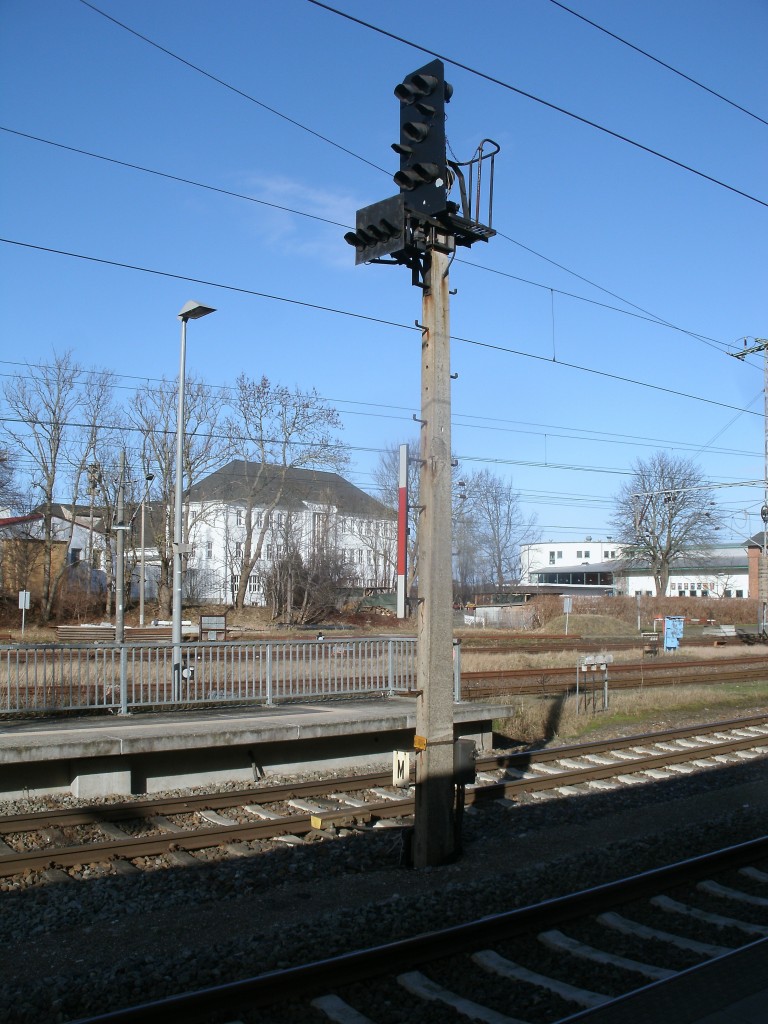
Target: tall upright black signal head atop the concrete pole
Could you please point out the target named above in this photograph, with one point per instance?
(423, 178)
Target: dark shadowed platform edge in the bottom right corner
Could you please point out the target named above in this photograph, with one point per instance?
(732, 990)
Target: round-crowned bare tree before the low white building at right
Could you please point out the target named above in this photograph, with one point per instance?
(664, 510)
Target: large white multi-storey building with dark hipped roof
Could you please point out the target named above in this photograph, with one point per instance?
(302, 510)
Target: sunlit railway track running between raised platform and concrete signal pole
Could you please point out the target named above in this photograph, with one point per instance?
(124, 838)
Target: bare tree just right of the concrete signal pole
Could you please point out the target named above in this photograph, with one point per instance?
(493, 507)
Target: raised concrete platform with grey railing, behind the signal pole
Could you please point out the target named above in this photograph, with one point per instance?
(146, 753)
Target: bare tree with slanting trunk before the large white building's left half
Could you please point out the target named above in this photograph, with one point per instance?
(276, 430)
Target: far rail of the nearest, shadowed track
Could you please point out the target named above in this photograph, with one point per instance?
(406, 954)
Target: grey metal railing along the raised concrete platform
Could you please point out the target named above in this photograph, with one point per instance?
(118, 677)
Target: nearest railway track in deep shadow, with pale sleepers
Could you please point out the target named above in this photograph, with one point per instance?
(539, 964)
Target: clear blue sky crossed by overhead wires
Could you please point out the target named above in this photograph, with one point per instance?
(582, 216)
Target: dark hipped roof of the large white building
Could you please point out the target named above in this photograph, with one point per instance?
(236, 482)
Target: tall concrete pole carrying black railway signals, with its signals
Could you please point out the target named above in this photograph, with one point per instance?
(420, 229)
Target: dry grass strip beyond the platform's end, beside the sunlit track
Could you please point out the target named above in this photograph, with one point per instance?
(540, 720)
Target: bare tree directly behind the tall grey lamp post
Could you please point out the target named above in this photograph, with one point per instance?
(206, 449)
